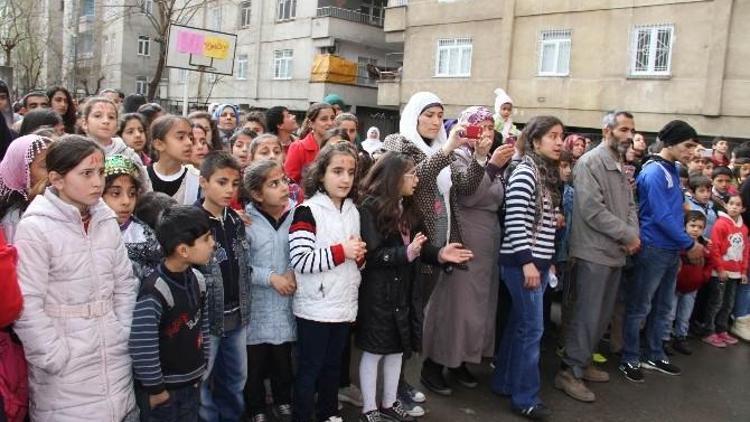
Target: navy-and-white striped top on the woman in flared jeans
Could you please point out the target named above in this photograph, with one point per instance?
(526, 240)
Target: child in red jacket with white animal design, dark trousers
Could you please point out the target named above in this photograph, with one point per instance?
(729, 252)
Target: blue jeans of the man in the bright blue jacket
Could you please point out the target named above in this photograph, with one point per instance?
(654, 284)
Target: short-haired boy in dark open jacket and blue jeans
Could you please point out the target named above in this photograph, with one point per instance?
(228, 282)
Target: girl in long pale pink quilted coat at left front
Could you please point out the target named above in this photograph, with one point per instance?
(78, 305)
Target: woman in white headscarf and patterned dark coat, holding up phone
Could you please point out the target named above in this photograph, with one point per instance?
(422, 137)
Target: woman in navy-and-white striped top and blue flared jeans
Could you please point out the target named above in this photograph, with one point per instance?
(531, 198)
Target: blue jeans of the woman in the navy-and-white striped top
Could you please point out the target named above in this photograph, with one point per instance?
(517, 362)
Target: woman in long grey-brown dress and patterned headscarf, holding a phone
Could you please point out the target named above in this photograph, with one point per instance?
(453, 332)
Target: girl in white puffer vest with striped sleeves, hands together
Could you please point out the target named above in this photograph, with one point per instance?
(325, 247)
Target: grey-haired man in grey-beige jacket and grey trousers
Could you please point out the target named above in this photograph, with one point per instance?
(604, 230)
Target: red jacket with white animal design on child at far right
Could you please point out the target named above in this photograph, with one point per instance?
(729, 246)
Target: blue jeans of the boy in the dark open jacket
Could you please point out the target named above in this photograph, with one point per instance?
(224, 382)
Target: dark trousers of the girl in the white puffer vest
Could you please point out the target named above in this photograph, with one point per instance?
(320, 347)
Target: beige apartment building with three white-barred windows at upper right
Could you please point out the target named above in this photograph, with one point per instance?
(661, 59)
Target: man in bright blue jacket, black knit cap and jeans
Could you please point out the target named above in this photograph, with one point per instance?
(663, 236)
